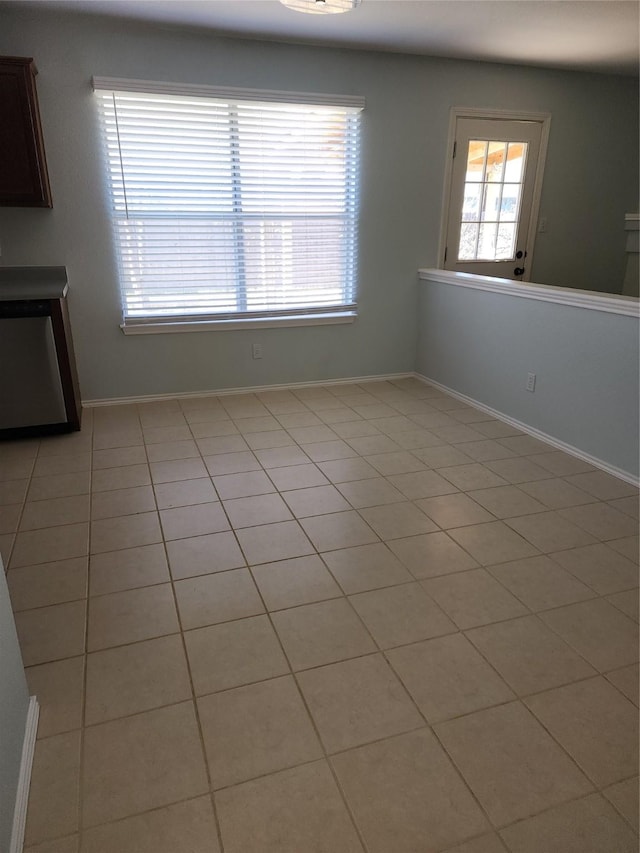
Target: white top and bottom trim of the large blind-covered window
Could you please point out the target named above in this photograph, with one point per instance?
(319, 317)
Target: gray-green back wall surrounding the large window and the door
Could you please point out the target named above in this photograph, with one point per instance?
(590, 184)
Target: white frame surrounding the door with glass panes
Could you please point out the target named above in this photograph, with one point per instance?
(544, 119)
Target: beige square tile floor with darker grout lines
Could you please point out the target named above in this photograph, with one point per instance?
(335, 619)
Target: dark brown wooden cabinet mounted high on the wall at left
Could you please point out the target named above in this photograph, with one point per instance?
(24, 181)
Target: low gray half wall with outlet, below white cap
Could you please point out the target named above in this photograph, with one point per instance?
(484, 344)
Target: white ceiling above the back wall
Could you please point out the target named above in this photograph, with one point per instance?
(585, 35)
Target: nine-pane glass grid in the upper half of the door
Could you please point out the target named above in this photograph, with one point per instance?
(492, 200)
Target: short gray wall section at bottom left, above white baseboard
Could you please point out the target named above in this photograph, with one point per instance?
(14, 703)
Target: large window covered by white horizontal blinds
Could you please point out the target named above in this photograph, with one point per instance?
(231, 205)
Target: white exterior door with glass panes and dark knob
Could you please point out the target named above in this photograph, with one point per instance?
(494, 177)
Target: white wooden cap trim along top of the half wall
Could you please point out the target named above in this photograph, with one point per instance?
(611, 303)
